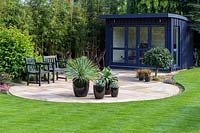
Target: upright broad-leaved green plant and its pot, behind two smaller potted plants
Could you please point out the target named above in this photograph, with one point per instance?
(108, 77)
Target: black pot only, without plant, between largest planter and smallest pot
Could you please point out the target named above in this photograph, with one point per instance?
(99, 92)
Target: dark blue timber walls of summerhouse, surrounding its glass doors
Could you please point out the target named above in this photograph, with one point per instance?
(186, 46)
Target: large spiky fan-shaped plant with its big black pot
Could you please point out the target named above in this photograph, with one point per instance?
(81, 71)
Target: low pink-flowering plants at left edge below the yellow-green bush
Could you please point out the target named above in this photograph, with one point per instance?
(4, 79)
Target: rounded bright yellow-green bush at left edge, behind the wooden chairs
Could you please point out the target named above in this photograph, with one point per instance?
(14, 47)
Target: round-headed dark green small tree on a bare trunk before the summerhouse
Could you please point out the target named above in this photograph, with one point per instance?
(158, 58)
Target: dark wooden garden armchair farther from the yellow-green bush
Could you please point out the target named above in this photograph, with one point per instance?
(55, 66)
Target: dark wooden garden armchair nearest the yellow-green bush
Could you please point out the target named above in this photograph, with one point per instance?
(33, 68)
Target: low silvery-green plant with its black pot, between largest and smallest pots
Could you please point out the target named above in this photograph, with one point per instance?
(99, 88)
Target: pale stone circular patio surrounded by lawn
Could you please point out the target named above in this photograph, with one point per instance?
(130, 90)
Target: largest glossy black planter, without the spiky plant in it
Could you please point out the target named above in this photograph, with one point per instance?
(80, 88)
